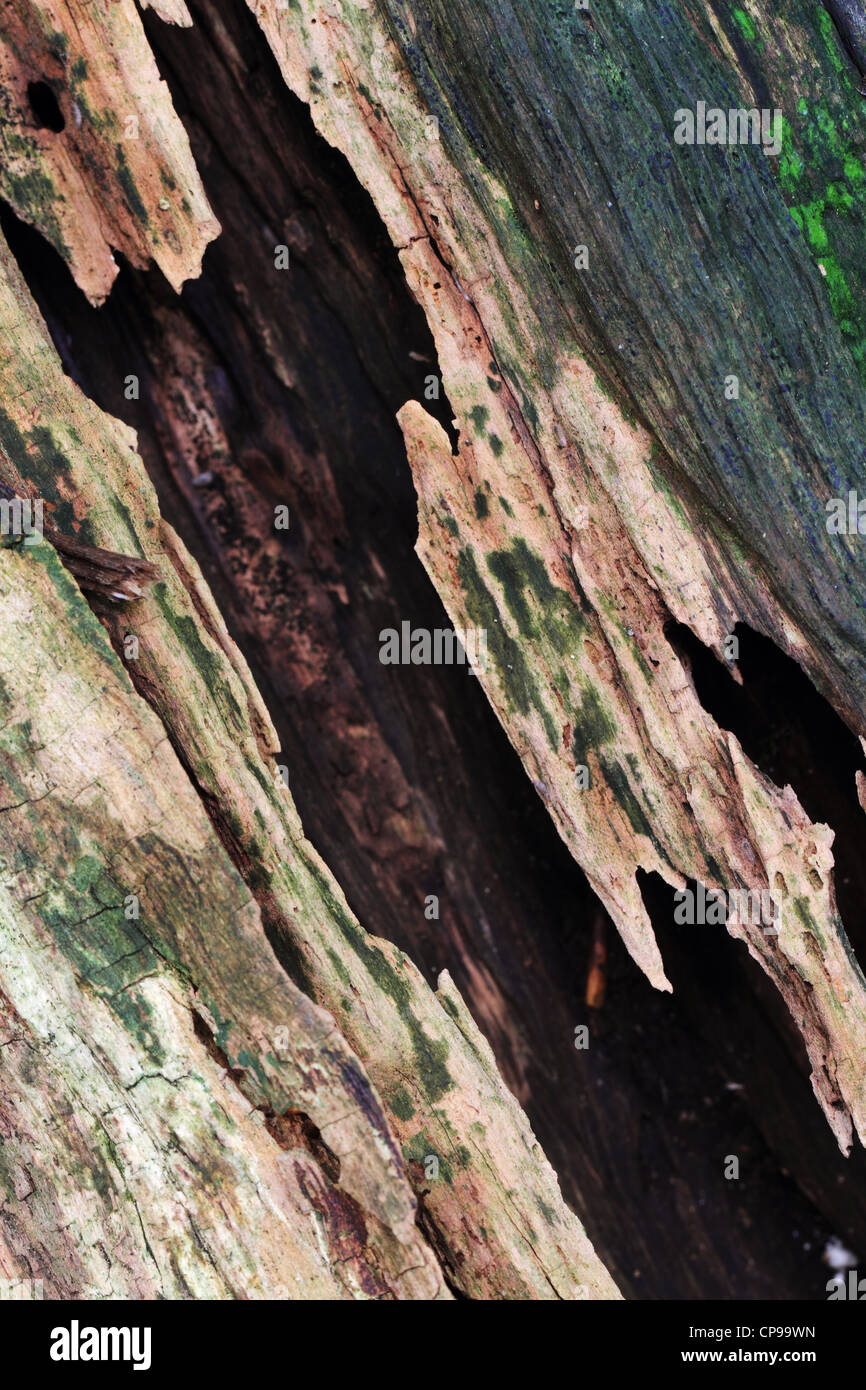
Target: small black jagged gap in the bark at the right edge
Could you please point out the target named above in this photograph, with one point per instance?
(797, 739)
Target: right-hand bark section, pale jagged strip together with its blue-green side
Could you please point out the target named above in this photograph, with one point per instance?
(589, 540)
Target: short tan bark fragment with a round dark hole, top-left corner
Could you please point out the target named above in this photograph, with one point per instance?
(113, 170)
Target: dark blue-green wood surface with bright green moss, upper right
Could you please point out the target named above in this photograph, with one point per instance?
(705, 262)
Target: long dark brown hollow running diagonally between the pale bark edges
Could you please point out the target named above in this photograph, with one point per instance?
(404, 778)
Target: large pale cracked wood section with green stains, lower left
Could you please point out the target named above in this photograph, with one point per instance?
(183, 808)
